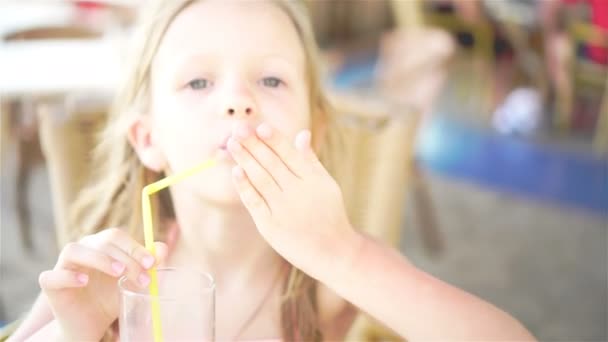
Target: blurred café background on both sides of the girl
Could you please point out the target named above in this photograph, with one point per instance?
(485, 121)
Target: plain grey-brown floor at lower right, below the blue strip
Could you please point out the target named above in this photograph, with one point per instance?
(545, 265)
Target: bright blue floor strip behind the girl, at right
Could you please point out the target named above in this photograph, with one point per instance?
(510, 164)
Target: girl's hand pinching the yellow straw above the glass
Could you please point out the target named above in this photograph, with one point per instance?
(82, 289)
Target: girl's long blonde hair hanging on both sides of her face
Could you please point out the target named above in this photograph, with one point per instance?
(113, 197)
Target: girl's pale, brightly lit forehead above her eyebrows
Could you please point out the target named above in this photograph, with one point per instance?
(231, 30)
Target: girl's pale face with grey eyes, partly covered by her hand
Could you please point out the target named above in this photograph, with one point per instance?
(219, 63)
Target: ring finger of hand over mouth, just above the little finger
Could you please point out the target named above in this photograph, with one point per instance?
(258, 177)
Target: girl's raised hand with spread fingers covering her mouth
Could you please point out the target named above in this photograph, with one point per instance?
(296, 205)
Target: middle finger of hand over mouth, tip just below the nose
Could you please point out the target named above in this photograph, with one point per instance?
(267, 158)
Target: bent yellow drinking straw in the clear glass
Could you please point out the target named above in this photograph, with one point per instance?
(146, 207)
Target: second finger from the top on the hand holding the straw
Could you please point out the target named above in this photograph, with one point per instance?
(75, 256)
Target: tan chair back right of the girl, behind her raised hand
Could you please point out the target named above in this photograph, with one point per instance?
(381, 149)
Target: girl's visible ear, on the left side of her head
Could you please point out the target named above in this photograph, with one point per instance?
(140, 137)
